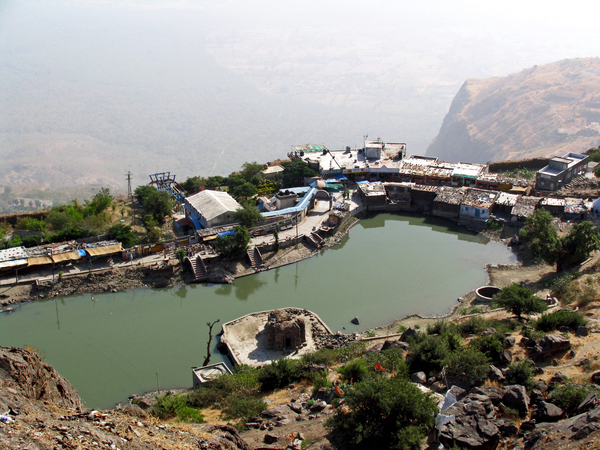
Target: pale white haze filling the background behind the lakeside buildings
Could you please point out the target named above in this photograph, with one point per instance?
(93, 89)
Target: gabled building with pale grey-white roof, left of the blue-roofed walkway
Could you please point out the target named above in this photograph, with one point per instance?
(209, 209)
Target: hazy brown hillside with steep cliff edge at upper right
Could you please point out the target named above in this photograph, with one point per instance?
(541, 111)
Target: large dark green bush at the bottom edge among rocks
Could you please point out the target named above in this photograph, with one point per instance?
(384, 412)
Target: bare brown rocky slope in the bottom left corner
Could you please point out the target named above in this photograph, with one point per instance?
(42, 411)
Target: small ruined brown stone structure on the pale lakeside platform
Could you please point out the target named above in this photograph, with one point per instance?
(284, 331)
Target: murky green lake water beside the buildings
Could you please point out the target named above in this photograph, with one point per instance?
(110, 346)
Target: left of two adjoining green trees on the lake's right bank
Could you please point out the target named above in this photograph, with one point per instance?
(541, 237)
